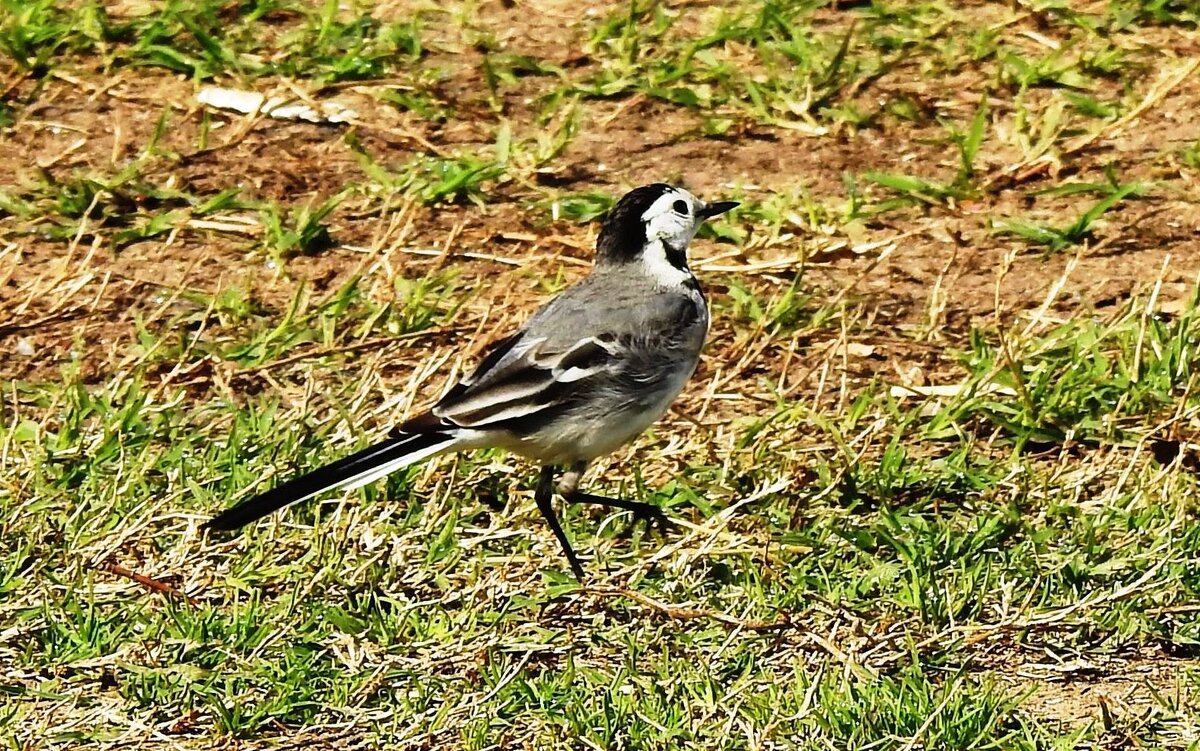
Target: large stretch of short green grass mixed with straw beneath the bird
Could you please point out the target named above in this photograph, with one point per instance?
(943, 522)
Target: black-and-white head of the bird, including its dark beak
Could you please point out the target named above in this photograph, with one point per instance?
(653, 225)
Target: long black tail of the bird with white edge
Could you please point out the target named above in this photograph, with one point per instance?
(355, 471)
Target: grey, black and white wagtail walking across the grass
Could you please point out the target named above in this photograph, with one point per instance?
(586, 375)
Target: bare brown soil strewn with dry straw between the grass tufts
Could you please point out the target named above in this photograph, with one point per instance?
(81, 301)
